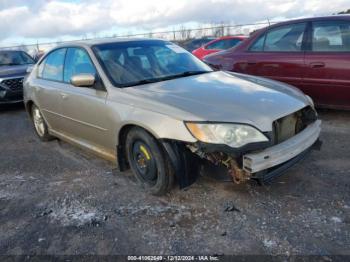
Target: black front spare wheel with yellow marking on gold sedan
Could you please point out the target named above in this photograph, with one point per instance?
(149, 162)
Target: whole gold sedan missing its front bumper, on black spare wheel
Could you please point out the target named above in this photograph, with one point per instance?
(151, 106)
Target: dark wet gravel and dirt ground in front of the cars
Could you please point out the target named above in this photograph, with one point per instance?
(55, 199)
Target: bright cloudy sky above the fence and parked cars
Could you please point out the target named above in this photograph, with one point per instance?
(28, 20)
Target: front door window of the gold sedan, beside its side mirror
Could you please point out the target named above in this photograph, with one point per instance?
(77, 62)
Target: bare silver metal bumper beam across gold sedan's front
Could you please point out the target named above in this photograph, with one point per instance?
(283, 152)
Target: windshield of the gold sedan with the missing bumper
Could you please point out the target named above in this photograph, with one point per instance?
(140, 62)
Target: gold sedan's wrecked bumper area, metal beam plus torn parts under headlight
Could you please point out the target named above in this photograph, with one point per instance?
(269, 162)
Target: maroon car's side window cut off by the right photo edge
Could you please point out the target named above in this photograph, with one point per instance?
(331, 36)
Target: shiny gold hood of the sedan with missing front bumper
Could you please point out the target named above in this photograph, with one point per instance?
(223, 97)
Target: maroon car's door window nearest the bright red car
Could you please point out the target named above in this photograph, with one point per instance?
(286, 38)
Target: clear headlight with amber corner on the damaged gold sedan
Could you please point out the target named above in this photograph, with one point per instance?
(234, 135)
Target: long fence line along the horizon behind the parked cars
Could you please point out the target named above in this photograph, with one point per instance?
(180, 35)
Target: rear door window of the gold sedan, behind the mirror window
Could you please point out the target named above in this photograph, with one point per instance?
(52, 67)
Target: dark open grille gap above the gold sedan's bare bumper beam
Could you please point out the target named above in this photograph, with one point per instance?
(290, 125)
